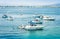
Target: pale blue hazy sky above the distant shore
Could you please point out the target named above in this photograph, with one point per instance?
(27, 2)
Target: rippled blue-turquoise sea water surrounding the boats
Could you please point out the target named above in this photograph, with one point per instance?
(22, 15)
